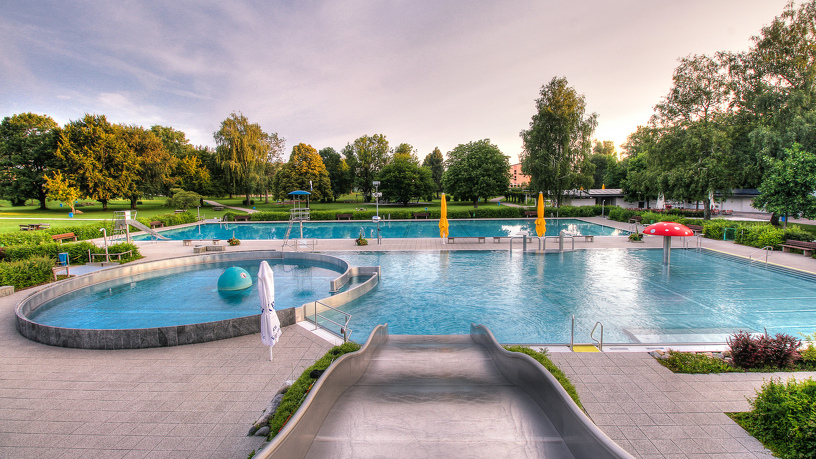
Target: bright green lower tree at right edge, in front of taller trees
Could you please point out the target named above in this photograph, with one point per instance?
(790, 184)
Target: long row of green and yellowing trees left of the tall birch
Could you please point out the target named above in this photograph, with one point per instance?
(93, 158)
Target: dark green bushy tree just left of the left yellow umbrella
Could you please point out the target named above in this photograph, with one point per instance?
(404, 179)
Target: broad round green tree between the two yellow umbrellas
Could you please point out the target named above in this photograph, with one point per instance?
(476, 170)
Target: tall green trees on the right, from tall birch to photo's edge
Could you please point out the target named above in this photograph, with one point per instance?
(730, 120)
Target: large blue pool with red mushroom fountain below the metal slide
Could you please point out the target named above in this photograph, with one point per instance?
(701, 297)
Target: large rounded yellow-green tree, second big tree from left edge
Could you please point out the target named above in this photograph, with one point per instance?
(97, 159)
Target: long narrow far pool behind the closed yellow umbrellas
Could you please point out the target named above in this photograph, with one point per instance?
(389, 229)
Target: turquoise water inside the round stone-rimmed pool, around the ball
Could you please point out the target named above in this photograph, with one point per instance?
(182, 296)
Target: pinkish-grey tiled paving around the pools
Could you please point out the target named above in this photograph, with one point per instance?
(200, 400)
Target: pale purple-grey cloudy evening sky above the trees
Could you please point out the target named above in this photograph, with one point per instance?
(435, 73)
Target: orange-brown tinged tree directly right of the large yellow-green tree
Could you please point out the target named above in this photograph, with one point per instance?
(155, 163)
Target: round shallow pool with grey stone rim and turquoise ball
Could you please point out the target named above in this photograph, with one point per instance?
(176, 301)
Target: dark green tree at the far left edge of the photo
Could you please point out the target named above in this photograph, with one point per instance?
(28, 145)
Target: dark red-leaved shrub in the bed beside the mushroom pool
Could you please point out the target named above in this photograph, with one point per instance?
(763, 352)
